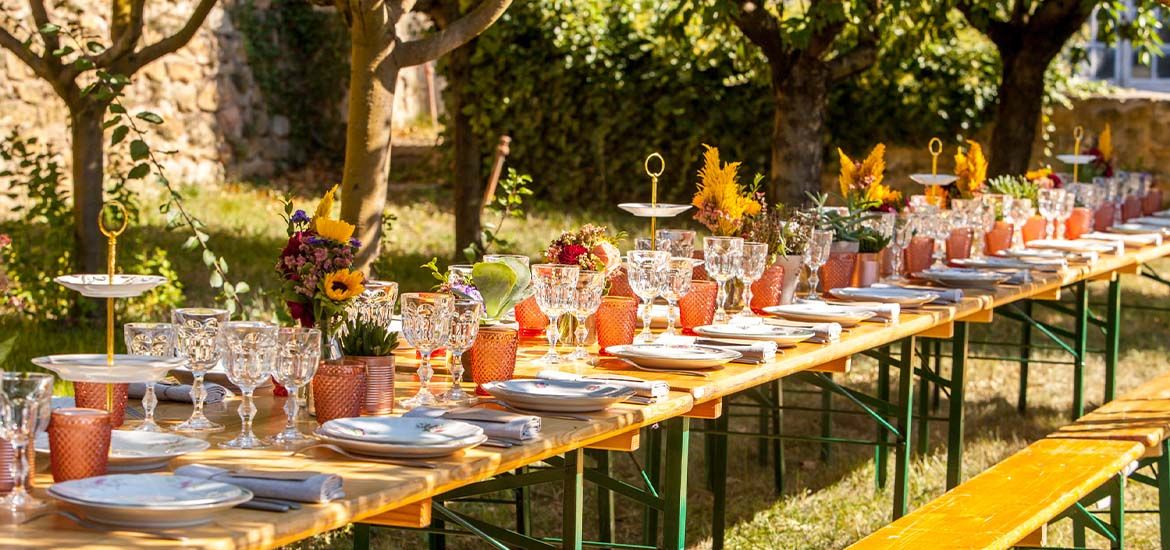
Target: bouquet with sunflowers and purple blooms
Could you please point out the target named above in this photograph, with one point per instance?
(316, 281)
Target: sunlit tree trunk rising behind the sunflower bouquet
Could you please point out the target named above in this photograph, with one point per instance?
(374, 75)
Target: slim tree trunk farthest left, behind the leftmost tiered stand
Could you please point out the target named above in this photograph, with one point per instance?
(88, 173)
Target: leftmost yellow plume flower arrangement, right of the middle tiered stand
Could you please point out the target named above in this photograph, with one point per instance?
(722, 203)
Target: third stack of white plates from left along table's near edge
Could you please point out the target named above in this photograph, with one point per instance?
(559, 396)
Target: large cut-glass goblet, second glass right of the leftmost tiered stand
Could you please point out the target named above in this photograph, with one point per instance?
(197, 339)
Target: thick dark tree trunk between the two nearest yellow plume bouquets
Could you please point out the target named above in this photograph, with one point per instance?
(801, 94)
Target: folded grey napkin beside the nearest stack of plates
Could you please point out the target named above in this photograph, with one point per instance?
(291, 486)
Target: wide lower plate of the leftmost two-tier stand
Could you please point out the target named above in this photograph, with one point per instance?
(93, 368)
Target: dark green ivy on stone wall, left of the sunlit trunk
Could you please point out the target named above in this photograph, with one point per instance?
(300, 59)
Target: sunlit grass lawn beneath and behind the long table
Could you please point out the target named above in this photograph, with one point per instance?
(824, 505)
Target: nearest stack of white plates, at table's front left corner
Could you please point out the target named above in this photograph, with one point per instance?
(149, 500)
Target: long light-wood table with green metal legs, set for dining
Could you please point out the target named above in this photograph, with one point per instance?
(400, 496)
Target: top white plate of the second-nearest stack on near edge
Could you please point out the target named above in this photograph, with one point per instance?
(403, 430)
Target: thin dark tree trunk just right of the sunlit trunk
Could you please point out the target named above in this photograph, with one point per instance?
(469, 156)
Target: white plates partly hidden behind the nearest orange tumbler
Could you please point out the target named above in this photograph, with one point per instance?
(140, 451)
